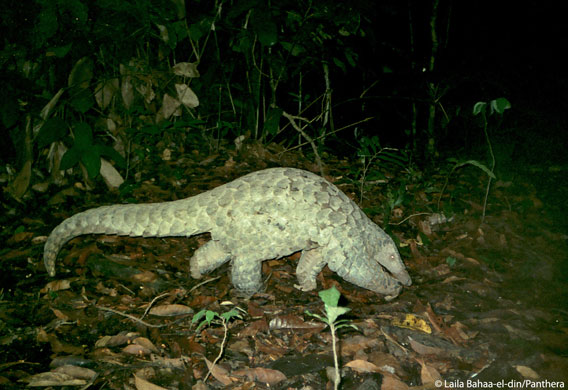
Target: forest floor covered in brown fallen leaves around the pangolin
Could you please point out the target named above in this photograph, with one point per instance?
(488, 307)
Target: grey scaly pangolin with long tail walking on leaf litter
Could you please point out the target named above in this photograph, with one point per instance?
(263, 215)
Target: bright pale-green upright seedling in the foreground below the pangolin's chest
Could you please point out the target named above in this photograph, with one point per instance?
(330, 298)
